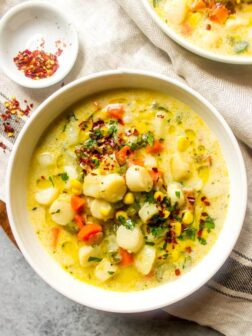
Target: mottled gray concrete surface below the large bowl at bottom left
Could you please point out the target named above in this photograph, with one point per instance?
(29, 307)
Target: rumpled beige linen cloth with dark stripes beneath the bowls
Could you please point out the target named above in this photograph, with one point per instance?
(110, 39)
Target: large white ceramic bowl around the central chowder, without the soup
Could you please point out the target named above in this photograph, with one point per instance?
(48, 268)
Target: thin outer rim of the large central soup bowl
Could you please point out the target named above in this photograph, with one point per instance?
(163, 301)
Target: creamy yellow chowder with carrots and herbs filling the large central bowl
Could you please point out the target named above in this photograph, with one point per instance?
(129, 189)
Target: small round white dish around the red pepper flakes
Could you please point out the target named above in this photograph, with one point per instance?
(25, 26)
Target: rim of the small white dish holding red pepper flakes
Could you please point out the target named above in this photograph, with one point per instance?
(32, 84)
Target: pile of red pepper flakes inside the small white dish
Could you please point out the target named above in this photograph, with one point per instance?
(36, 64)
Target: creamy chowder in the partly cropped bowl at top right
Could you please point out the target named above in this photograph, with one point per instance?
(223, 27)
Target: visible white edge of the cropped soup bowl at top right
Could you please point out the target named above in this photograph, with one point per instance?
(190, 46)
